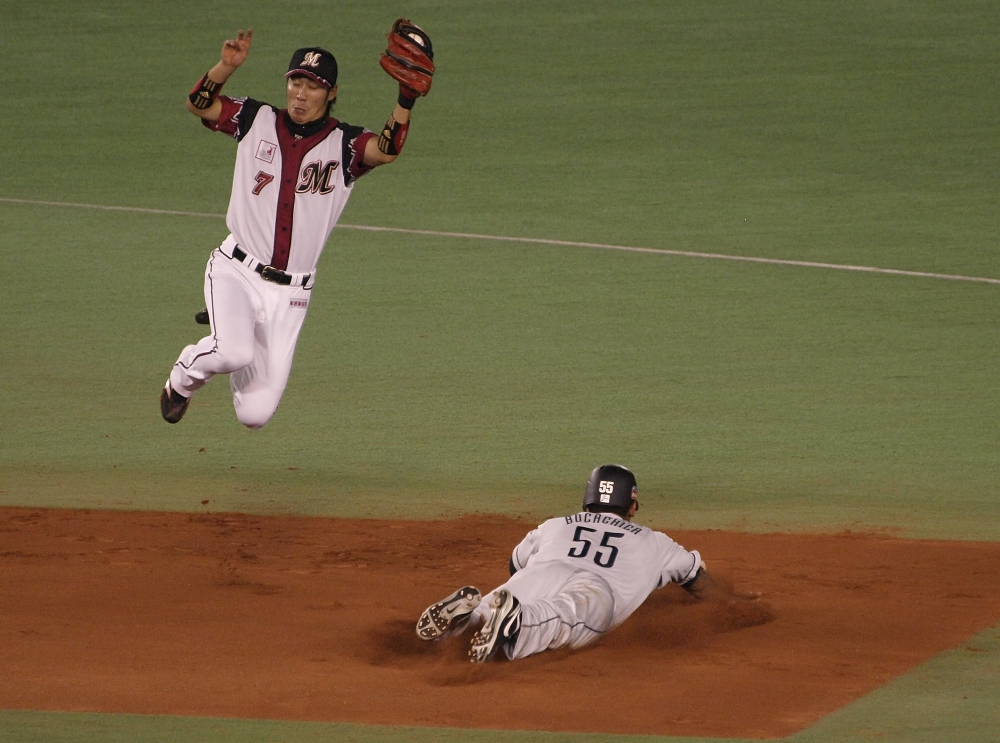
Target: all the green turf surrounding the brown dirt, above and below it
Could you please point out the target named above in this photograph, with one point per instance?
(438, 375)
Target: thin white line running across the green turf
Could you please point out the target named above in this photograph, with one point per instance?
(545, 241)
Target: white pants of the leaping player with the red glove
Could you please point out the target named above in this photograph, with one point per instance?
(255, 326)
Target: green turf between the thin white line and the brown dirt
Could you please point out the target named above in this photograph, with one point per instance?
(448, 376)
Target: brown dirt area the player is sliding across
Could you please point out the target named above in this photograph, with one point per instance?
(312, 619)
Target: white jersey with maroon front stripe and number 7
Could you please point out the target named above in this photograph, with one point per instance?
(288, 191)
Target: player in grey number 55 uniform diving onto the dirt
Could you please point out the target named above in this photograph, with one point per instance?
(574, 578)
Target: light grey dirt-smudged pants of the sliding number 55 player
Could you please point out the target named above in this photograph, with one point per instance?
(561, 606)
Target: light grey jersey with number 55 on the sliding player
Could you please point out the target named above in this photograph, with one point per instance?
(633, 560)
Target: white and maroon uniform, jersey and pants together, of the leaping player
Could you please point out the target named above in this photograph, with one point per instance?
(290, 184)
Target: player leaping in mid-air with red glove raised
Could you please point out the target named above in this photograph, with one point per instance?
(295, 170)
